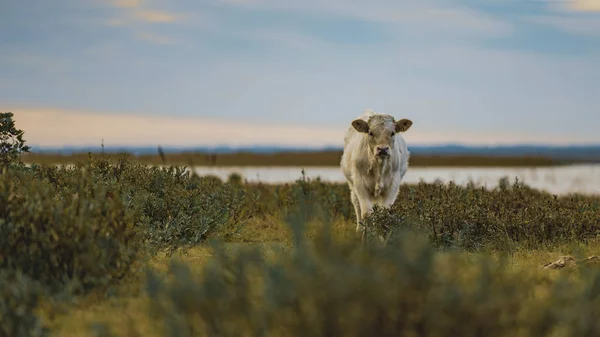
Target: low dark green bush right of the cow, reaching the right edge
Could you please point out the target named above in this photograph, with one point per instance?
(474, 218)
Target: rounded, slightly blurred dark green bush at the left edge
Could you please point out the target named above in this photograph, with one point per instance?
(83, 235)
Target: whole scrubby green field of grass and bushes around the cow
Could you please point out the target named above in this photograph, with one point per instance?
(113, 247)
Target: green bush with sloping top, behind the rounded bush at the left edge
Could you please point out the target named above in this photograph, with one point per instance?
(177, 210)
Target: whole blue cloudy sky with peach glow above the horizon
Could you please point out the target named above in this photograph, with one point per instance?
(296, 73)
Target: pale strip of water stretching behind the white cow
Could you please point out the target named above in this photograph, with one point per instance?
(560, 180)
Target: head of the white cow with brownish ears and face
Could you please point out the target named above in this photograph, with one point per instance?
(381, 130)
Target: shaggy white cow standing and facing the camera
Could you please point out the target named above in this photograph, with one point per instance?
(374, 161)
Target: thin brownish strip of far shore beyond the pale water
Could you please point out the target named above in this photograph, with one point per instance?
(317, 158)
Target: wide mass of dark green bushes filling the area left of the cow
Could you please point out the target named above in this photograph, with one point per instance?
(73, 229)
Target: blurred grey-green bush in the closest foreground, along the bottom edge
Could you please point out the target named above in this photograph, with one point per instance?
(330, 288)
